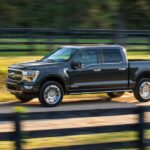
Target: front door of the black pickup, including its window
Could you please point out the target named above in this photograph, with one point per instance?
(86, 77)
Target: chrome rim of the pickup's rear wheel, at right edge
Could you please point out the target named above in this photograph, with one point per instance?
(145, 90)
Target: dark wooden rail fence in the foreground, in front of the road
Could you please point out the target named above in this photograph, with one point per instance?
(140, 127)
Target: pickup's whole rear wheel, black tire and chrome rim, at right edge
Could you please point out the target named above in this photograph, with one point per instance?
(142, 90)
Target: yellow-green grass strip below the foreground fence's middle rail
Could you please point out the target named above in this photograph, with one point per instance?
(73, 140)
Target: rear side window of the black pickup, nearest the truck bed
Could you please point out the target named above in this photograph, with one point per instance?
(111, 55)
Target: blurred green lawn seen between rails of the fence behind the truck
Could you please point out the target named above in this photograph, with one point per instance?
(42, 49)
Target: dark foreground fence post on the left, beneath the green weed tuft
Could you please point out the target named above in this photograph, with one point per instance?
(18, 138)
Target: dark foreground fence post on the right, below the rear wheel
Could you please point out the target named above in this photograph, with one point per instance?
(141, 128)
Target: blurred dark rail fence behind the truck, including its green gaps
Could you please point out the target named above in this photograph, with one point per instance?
(31, 39)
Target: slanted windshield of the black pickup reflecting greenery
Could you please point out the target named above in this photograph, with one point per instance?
(60, 55)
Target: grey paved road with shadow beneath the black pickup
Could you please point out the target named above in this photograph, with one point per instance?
(76, 104)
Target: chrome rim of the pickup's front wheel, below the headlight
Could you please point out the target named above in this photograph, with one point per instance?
(52, 94)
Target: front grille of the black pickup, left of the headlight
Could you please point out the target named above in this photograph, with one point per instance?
(15, 75)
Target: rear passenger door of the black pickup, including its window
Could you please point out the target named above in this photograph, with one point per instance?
(114, 71)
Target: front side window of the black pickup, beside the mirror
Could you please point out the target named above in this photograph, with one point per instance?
(87, 57)
